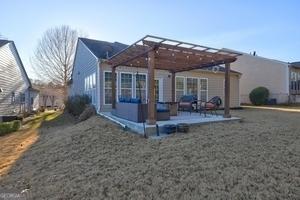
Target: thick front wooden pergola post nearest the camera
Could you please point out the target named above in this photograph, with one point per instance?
(151, 85)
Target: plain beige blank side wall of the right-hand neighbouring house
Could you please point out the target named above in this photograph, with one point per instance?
(258, 71)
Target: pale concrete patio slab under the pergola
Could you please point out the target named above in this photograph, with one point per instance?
(182, 117)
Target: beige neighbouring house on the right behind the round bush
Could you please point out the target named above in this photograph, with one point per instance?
(280, 78)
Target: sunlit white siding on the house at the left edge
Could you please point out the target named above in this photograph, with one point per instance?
(12, 79)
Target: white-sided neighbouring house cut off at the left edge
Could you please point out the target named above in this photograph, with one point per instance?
(16, 93)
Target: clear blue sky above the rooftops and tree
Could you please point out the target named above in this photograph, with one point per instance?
(271, 28)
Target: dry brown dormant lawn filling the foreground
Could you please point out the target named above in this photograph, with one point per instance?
(258, 158)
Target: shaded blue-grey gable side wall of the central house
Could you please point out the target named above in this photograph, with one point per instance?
(85, 64)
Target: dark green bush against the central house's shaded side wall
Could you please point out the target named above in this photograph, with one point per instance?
(76, 104)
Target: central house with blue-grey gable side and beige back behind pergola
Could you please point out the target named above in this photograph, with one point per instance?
(92, 77)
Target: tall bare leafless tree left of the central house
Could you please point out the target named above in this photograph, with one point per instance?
(54, 55)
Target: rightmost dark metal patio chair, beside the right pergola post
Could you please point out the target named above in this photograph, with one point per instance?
(212, 105)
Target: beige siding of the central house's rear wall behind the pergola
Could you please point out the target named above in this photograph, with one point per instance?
(215, 83)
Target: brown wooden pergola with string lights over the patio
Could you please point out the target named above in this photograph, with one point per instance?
(153, 52)
